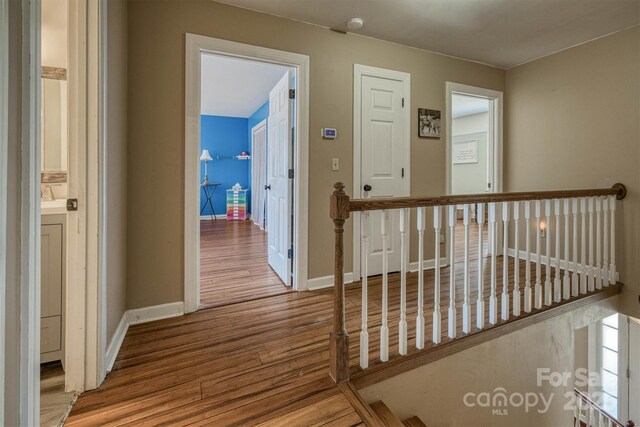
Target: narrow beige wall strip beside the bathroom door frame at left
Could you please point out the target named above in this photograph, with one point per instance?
(116, 163)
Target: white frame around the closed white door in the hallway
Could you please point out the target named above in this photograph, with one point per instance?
(360, 71)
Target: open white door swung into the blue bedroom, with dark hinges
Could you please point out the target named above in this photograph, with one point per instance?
(279, 153)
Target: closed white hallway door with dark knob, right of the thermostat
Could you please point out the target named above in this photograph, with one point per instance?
(381, 157)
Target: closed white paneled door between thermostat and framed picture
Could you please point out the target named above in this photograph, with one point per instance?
(383, 161)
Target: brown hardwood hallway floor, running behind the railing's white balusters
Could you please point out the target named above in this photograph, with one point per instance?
(260, 361)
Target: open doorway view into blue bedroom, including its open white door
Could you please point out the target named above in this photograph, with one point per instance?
(246, 209)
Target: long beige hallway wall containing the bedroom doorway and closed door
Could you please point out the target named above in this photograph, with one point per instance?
(156, 125)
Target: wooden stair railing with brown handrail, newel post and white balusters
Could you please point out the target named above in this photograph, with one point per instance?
(584, 259)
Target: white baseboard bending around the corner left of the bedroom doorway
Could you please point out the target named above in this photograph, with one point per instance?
(137, 316)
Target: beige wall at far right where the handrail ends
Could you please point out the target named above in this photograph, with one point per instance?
(572, 120)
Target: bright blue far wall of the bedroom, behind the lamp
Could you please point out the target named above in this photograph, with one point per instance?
(225, 137)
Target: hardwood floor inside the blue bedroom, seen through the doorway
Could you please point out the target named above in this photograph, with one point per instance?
(233, 264)
